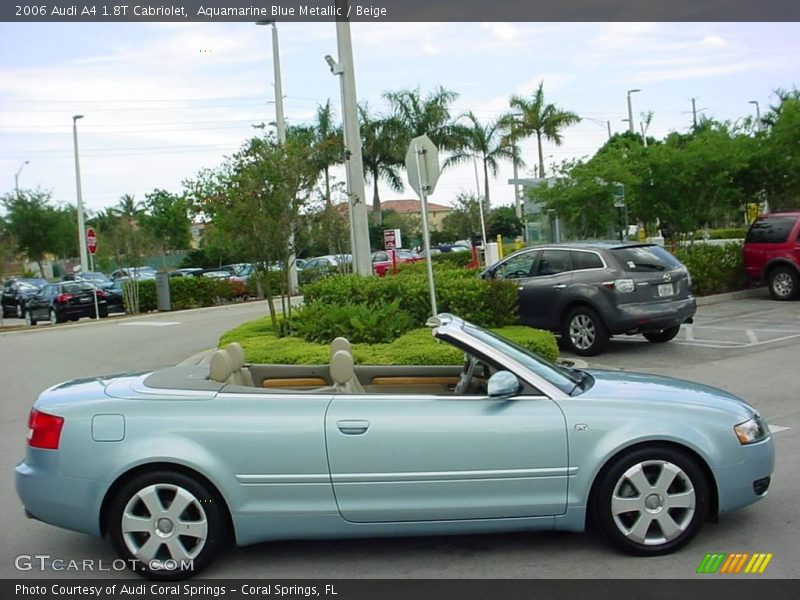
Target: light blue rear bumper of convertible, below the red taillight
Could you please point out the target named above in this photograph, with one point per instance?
(68, 502)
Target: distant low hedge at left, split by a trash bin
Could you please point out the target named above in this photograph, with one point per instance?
(190, 292)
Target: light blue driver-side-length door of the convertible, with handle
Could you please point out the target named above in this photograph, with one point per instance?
(397, 457)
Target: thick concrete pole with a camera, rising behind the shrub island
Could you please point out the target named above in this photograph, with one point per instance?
(352, 134)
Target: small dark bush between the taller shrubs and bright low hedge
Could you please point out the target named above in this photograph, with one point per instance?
(321, 322)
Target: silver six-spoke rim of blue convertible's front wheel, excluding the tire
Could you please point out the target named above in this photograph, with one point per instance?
(653, 502)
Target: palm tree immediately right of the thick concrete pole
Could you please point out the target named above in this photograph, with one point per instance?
(381, 154)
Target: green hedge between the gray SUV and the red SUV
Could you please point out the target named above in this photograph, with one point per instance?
(714, 269)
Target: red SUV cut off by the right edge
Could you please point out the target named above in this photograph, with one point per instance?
(772, 253)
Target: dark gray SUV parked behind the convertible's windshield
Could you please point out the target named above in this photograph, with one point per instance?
(590, 291)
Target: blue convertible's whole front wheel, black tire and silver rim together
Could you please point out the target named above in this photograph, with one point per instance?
(661, 517)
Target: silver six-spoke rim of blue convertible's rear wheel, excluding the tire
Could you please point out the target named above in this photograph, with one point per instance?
(164, 522)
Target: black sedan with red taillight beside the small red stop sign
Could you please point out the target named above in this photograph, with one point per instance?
(65, 301)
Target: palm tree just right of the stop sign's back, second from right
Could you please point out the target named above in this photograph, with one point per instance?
(486, 144)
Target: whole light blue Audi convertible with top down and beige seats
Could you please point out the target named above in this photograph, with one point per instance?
(172, 463)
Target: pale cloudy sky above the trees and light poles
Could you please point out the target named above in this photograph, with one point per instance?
(161, 101)
